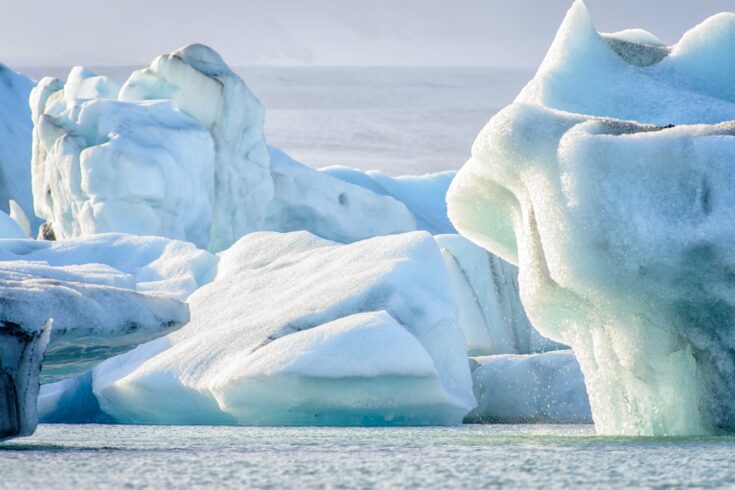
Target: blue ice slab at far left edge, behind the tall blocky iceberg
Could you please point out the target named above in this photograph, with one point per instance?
(15, 143)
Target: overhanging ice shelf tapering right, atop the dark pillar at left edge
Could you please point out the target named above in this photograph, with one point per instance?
(94, 312)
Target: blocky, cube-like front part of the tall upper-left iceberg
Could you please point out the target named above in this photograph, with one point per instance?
(102, 165)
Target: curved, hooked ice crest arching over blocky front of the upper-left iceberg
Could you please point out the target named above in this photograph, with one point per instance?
(202, 85)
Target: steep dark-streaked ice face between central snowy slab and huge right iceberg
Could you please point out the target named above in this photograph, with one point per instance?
(490, 311)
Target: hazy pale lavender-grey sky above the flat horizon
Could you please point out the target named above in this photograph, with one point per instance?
(319, 32)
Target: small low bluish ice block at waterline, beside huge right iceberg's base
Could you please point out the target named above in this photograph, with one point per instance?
(543, 388)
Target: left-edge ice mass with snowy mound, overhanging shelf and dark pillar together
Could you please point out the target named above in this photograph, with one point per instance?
(60, 304)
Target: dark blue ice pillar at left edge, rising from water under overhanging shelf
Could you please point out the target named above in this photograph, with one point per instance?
(21, 354)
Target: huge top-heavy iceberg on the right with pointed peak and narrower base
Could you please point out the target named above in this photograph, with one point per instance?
(621, 228)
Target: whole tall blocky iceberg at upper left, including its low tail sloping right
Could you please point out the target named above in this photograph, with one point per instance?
(178, 151)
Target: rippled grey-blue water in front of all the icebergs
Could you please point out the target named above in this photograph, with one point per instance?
(471, 456)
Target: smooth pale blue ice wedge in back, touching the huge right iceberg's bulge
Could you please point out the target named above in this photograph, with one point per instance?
(423, 195)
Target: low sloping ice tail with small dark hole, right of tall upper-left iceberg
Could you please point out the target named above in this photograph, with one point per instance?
(306, 199)
